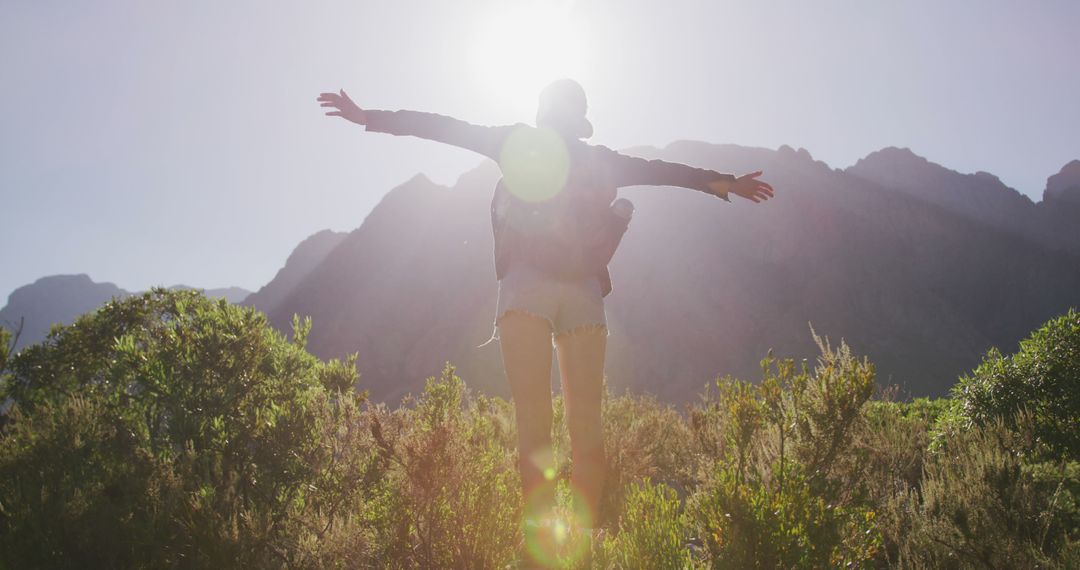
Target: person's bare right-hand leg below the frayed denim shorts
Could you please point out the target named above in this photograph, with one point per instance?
(582, 365)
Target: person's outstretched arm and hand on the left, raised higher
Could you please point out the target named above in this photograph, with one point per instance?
(487, 141)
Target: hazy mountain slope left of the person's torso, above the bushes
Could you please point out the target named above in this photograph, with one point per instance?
(412, 288)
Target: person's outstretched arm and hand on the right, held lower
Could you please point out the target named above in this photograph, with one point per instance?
(633, 171)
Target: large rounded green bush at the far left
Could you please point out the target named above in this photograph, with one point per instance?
(167, 430)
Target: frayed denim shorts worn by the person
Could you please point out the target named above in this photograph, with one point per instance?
(568, 305)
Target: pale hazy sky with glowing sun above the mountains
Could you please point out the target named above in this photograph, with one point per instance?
(180, 142)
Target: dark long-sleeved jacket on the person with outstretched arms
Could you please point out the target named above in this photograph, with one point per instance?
(568, 233)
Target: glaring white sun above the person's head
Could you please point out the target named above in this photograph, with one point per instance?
(524, 46)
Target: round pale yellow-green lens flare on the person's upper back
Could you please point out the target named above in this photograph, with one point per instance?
(535, 164)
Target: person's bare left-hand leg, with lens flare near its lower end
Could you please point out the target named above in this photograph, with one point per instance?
(526, 356)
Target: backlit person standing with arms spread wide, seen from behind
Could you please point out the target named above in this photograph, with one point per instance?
(557, 223)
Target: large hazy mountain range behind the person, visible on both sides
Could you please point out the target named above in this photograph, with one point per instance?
(920, 268)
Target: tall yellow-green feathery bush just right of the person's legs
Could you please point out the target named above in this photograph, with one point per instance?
(775, 496)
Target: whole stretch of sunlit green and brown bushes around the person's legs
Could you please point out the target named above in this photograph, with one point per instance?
(172, 431)
